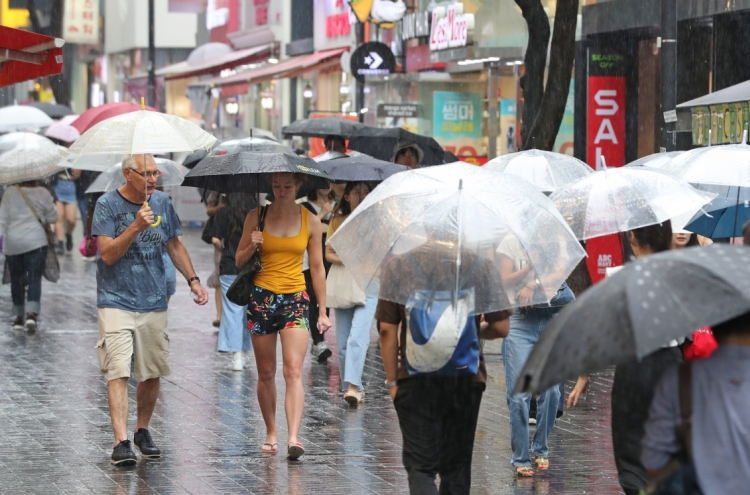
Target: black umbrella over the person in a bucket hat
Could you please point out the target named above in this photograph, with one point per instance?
(382, 143)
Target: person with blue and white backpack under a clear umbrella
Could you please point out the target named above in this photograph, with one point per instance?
(438, 410)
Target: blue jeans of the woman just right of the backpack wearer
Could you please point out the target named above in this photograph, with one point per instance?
(525, 330)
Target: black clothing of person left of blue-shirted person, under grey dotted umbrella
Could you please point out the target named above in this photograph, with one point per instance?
(632, 391)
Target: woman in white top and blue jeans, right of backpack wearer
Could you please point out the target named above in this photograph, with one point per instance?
(526, 326)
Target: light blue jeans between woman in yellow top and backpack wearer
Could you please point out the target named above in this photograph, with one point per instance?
(352, 340)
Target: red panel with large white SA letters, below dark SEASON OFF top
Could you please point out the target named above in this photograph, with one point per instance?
(606, 122)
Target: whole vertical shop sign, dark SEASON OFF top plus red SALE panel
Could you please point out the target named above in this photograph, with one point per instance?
(606, 110)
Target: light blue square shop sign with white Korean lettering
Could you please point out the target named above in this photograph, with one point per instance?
(457, 115)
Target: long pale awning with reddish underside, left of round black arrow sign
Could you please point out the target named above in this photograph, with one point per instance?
(288, 68)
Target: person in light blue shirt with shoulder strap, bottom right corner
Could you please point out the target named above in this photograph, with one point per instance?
(706, 444)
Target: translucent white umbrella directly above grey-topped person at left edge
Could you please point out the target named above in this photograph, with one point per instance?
(25, 164)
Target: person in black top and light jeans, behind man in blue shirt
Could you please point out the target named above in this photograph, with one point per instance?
(226, 233)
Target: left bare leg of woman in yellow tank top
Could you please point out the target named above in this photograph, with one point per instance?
(264, 347)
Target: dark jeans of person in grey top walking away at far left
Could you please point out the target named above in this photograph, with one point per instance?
(26, 270)
